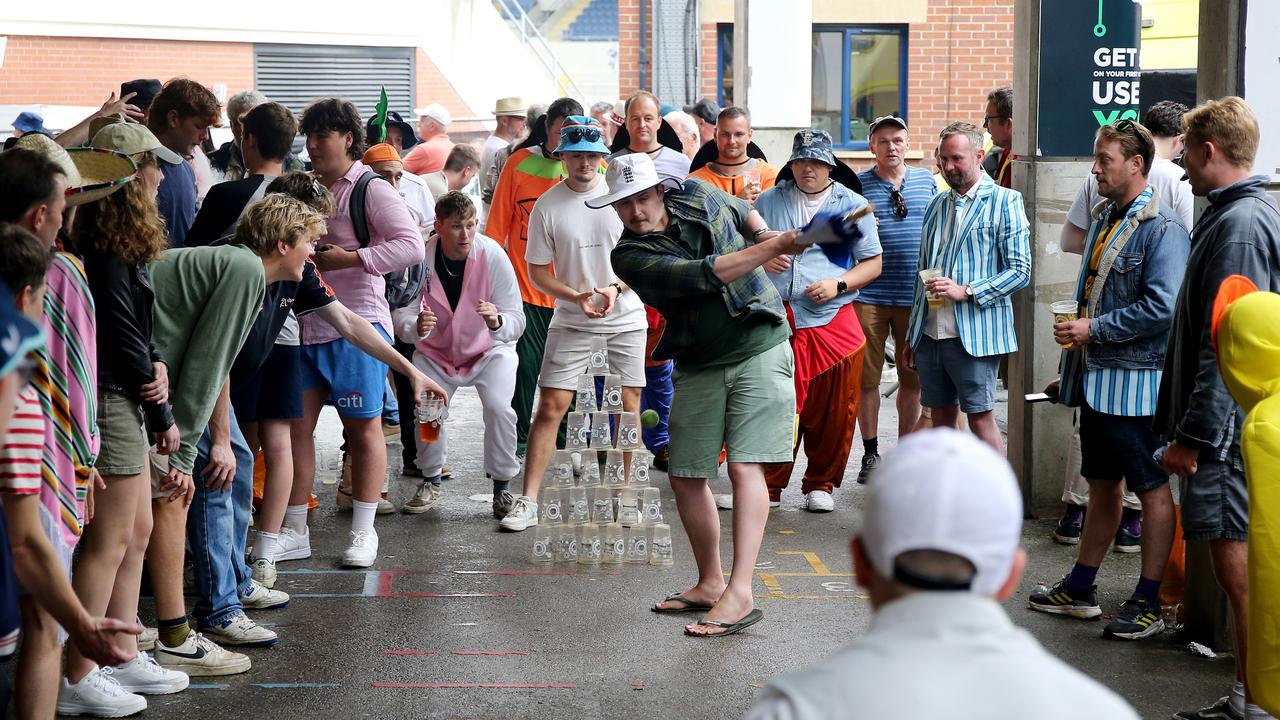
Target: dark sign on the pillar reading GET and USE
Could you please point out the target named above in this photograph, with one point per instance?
(1089, 71)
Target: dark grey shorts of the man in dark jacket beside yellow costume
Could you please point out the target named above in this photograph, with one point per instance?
(1217, 499)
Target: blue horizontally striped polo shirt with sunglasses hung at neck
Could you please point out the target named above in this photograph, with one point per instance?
(899, 238)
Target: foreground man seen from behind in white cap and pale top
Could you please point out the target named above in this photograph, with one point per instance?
(936, 552)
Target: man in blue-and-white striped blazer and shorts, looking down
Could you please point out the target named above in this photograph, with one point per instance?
(975, 254)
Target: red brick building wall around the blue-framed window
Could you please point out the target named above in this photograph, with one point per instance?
(954, 60)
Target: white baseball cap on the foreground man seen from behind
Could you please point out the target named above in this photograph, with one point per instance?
(948, 491)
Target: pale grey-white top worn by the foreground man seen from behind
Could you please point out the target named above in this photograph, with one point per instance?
(934, 655)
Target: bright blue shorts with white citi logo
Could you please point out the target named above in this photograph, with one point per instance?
(354, 380)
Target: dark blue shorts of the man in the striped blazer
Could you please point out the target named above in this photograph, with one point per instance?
(949, 376)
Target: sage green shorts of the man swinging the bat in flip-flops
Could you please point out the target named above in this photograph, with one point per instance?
(748, 408)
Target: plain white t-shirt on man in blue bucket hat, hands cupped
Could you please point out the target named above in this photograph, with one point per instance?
(578, 240)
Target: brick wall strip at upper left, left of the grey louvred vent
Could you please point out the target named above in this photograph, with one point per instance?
(84, 71)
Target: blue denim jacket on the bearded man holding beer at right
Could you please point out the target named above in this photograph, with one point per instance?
(1132, 303)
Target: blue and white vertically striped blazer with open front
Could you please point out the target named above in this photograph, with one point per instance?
(993, 256)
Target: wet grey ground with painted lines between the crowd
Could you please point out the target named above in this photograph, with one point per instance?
(455, 622)
